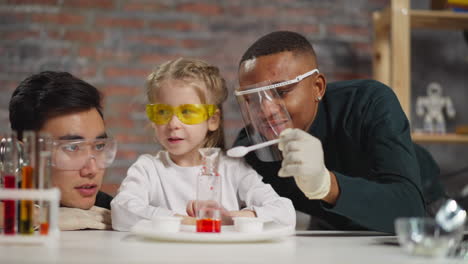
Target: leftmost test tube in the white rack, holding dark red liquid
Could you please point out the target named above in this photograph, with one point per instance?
(10, 165)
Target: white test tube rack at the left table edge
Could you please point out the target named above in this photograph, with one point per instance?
(52, 196)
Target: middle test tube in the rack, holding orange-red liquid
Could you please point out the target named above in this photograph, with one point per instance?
(26, 223)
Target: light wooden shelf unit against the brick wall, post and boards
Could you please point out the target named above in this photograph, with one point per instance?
(392, 53)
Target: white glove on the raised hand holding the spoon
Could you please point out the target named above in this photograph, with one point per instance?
(303, 159)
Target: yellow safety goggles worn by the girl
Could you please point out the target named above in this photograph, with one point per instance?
(189, 114)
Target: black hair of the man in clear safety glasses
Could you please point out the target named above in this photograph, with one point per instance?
(50, 94)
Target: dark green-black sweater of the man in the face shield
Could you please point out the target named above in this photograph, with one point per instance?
(367, 144)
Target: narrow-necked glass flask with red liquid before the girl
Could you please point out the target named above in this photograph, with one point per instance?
(208, 202)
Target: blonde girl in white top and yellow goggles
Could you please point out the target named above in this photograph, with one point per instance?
(185, 107)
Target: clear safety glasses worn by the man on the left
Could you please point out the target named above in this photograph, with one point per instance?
(75, 154)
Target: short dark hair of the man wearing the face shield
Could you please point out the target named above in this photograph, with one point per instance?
(277, 42)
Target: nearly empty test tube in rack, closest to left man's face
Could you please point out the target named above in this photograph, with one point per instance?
(44, 180)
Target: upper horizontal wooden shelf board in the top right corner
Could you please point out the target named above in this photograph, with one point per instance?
(438, 19)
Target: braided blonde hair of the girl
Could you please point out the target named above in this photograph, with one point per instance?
(194, 72)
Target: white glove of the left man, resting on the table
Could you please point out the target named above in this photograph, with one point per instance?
(76, 219)
